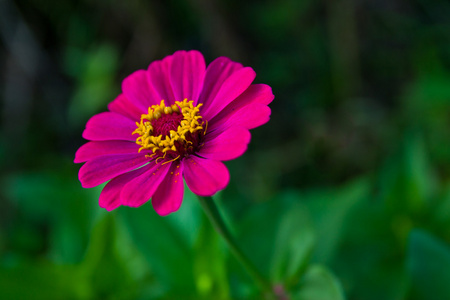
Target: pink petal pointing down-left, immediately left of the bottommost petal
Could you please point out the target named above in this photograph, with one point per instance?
(141, 189)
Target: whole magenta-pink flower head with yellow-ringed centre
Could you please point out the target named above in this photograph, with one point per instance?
(177, 119)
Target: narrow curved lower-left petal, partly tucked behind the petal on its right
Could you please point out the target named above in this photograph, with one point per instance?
(110, 195)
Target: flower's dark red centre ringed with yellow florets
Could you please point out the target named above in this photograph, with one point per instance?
(170, 132)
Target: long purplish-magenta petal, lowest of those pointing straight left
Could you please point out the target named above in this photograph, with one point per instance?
(104, 168)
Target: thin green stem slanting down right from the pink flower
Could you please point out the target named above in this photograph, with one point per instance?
(212, 212)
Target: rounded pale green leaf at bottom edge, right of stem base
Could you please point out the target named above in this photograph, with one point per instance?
(318, 284)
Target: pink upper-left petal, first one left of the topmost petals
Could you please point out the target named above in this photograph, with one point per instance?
(138, 89)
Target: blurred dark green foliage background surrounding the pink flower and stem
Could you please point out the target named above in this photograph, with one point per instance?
(344, 194)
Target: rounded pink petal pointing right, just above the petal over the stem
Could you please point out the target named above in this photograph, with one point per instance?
(228, 145)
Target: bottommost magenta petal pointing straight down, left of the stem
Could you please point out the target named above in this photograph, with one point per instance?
(169, 195)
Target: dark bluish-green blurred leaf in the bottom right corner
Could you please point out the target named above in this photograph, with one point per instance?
(429, 266)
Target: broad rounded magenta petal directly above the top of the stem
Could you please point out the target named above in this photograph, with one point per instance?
(205, 176)
